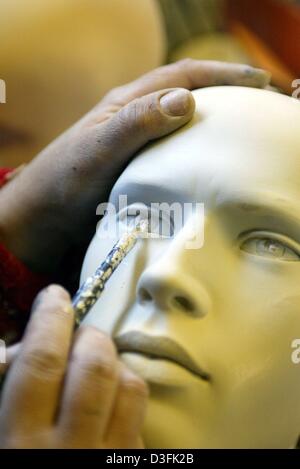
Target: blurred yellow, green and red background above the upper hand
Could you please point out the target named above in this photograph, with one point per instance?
(59, 57)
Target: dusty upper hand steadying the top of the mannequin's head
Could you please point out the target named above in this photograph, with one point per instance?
(49, 209)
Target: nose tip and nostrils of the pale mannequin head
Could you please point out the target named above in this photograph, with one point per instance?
(170, 289)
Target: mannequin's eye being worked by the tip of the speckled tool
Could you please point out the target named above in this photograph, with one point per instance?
(160, 225)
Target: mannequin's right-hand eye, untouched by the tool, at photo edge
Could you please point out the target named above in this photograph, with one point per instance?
(271, 248)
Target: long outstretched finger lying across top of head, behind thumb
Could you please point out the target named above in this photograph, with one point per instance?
(189, 74)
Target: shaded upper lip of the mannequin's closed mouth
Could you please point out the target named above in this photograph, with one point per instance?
(158, 347)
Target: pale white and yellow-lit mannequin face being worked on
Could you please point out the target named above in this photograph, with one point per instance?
(238, 311)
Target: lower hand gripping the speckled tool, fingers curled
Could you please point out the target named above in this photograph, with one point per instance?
(68, 392)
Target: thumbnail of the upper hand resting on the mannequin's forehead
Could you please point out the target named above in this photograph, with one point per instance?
(177, 102)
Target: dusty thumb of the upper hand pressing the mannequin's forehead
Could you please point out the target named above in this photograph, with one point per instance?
(145, 119)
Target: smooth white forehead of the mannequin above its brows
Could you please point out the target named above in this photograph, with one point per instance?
(240, 137)
